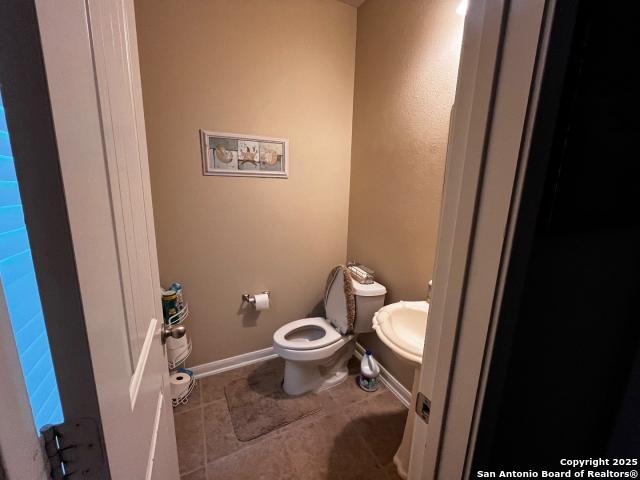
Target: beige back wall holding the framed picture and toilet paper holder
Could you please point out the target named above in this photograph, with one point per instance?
(282, 68)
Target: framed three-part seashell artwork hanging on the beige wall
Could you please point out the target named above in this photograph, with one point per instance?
(238, 155)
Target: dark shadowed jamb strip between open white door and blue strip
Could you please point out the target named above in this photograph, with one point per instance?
(28, 109)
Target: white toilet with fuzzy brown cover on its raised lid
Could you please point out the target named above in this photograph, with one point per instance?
(316, 350)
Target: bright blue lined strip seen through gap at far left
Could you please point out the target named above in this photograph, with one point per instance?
(21, 293)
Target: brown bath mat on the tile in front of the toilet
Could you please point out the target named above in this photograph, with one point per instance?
(258, 405)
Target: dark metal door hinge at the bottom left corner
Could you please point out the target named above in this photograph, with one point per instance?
(74, 449)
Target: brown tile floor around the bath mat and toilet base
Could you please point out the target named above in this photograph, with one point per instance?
(354, 436)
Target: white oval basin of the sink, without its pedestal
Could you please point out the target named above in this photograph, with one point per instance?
(402, 327)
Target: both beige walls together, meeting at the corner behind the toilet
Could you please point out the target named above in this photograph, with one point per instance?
(285, 68)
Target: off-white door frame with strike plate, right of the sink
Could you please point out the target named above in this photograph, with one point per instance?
(502, 58)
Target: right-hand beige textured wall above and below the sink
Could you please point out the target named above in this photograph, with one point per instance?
(406, 65)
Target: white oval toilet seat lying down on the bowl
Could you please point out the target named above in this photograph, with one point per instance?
(306, 334)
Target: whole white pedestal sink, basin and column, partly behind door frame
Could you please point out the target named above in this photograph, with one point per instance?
(402, 327)
